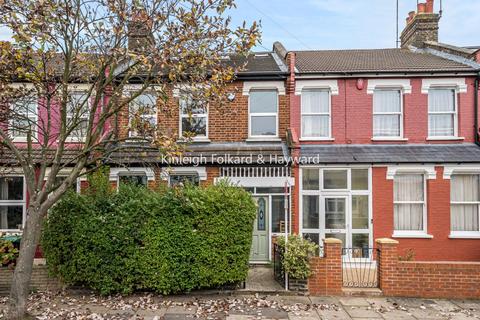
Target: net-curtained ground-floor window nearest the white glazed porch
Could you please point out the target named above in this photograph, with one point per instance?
(408, 216)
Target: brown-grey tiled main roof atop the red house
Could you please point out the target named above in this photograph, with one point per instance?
(372, 61)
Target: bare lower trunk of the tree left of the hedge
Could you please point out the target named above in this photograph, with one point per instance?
(23, 271)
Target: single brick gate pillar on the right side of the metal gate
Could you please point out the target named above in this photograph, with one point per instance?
(387, 260)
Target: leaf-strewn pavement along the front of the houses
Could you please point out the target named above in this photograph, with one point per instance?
(243, 307)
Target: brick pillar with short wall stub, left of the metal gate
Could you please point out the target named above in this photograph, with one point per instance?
(326, 278)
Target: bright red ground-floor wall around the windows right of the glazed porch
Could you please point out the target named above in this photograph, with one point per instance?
(440, 247)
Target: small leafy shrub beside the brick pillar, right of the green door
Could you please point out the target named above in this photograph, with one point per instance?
(296, 253)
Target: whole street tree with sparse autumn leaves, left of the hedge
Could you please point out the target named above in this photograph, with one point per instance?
(70, 70)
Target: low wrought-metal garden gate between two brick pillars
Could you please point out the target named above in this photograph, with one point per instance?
(359, 268)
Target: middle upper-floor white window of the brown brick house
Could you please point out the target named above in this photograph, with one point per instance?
(193, 117)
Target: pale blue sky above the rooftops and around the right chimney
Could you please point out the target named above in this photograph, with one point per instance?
(347, 24)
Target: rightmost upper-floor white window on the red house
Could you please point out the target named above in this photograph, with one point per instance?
(442, 112)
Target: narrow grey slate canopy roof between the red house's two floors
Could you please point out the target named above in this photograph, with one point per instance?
(413, 153)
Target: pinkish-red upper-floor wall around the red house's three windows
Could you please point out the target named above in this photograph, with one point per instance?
(352, 114)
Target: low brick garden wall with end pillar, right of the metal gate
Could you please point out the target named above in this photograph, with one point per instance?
(425, 279)
